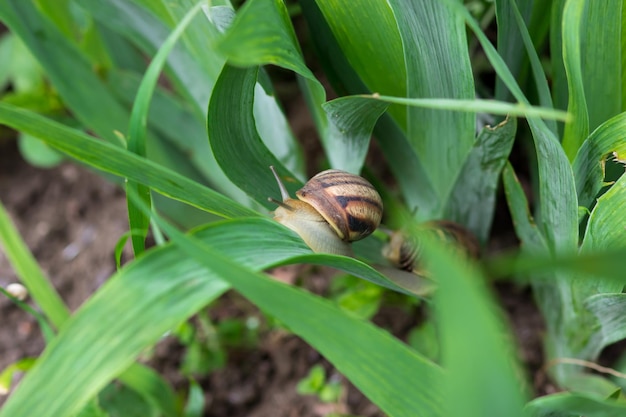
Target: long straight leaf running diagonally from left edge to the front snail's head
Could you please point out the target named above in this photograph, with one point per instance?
(118, 161)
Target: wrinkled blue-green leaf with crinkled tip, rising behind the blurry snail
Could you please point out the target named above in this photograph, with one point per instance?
(473, 198)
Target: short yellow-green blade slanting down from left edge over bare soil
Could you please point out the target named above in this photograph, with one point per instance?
(26, 267)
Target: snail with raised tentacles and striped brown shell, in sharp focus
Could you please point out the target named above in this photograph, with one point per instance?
(333, 209)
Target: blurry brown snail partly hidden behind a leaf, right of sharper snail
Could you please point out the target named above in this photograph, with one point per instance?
(404, 251)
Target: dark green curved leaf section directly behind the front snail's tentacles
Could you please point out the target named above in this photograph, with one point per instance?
(237, 147)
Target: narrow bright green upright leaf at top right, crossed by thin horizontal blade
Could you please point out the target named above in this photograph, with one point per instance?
(573, 27)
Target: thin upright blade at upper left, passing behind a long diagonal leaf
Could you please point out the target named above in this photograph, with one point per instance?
(137, 128)
